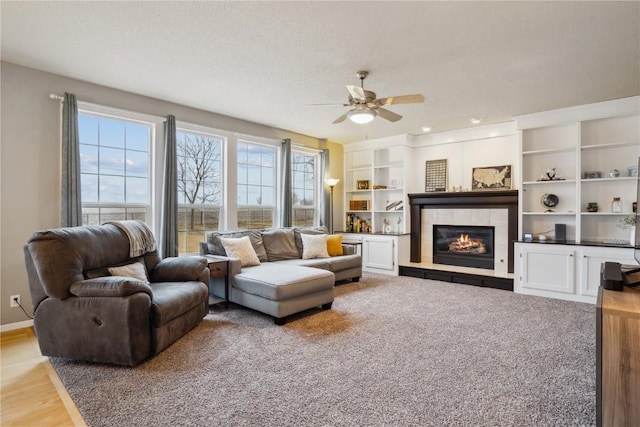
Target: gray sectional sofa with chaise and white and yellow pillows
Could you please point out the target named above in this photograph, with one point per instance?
(282, 271)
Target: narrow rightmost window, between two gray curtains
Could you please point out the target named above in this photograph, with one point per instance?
(304, 192)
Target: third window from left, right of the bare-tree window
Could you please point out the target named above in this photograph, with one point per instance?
(256, 185)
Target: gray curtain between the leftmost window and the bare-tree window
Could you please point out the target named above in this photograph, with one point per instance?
(169, 222)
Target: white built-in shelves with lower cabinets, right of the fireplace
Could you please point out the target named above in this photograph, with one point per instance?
(594, 149)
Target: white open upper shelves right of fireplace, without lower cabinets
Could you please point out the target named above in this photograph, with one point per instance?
(584, 144)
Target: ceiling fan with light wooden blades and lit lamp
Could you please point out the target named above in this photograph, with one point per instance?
(367, 106)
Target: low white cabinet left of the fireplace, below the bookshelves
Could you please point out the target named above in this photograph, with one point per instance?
(381, 253)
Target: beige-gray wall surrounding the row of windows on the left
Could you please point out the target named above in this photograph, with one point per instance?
(30, 159)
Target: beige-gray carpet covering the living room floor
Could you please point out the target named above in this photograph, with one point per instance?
(393, 351)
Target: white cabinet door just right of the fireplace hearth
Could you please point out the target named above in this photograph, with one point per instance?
(548, 268)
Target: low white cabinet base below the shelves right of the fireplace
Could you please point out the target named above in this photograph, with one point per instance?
(569, 272)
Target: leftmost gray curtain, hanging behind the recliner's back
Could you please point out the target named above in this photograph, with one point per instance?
(71, 209)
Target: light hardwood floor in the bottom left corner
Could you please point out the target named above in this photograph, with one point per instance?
(31, 394)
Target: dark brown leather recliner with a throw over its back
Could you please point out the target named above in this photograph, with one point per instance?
(82, 312)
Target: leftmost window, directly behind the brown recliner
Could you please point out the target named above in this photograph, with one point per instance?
(115, 168)
